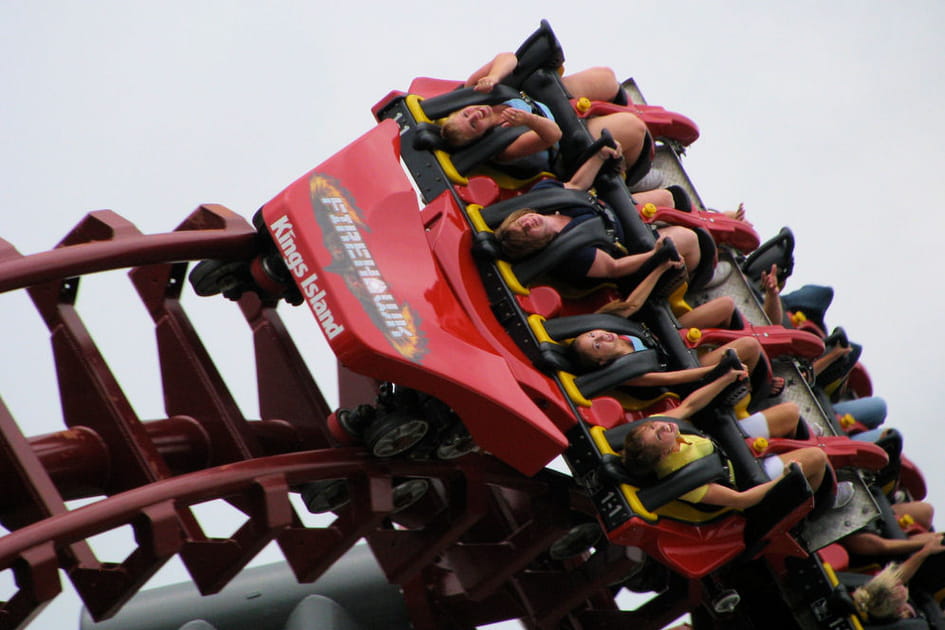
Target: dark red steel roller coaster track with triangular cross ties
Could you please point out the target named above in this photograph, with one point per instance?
(471, 551)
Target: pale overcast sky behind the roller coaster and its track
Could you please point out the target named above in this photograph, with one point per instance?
(820, 116)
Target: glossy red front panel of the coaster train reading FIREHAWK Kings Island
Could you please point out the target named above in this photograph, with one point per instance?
(364, 266)
